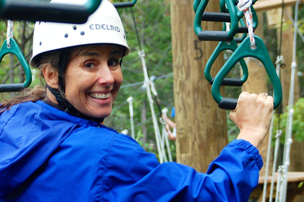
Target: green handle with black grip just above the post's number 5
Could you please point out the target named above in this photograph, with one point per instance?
(214, 35)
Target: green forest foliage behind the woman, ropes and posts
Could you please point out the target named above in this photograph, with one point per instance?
(150, 31)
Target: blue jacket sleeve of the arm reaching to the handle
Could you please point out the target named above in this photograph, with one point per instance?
(135, 175)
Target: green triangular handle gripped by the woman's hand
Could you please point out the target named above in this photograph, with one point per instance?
(244, 50)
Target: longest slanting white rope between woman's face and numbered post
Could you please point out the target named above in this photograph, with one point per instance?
(148, 89)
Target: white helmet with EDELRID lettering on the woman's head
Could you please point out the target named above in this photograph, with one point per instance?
(104, 26)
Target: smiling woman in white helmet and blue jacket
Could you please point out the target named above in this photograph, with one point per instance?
(53, 147)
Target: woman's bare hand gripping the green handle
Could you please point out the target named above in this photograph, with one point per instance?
(253, 115)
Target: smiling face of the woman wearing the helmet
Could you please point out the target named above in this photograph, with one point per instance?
(93, 78)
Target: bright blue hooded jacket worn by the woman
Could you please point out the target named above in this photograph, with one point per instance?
(49, 155)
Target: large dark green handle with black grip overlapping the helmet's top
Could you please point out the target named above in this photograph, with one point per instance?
(52, 12)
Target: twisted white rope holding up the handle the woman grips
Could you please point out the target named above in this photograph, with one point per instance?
(245, 6)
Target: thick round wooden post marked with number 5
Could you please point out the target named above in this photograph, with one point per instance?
(201, 125)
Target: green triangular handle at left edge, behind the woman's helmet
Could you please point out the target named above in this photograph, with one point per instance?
(14, 49)
